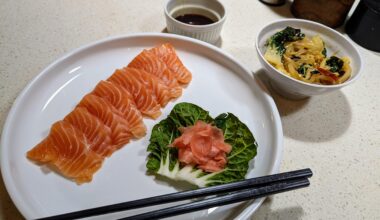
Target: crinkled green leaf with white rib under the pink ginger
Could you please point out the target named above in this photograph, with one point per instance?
(163, 160)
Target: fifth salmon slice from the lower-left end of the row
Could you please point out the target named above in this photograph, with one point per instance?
(159, 89)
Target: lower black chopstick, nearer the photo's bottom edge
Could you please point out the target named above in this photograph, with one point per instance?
(223, 200)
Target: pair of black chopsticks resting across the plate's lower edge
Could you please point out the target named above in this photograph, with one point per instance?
(231, 193)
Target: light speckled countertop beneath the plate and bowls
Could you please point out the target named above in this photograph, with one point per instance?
(337, 135)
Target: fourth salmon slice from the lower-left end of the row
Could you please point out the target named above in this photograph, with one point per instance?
(143, 96)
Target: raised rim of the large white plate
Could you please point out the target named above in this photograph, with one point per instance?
(251, 206)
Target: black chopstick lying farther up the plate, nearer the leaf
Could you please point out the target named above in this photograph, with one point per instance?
(248, 183)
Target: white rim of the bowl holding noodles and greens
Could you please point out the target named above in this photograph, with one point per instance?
(326, 28)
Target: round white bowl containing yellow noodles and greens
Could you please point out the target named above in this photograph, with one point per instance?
(334, 41)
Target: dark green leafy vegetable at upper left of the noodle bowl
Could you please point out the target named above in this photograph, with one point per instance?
(279, 39)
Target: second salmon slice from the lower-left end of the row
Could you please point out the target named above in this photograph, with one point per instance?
(98, 135)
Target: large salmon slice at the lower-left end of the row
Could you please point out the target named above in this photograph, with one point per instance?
(66, 148)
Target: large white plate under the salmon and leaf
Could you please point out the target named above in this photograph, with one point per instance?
(220, 84)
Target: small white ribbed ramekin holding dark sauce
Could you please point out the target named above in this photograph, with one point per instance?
(209, 33)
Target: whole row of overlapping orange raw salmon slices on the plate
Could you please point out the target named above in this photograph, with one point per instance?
(112, 114)
